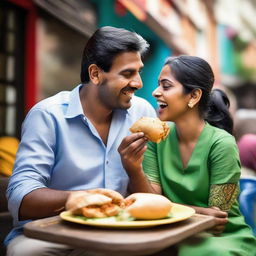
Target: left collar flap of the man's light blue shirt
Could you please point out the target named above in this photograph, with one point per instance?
(74, 105)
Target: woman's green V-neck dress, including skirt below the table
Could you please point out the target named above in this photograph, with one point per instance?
(215, 160)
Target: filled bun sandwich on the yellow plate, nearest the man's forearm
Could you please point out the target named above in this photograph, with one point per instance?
(95, 203)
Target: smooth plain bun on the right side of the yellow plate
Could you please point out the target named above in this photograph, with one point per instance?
(148, 206)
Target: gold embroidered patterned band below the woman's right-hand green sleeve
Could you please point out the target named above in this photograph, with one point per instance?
(223, 195)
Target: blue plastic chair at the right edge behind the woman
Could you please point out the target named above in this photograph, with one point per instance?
(247, 200)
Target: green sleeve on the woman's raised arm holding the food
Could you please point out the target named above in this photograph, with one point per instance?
(150, 163)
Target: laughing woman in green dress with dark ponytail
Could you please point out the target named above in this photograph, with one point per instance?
(198, 164)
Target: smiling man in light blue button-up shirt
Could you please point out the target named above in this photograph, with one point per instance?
(70, 141)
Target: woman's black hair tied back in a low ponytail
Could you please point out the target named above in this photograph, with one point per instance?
(195, 73)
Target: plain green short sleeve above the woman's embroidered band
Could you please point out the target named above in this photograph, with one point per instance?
(224, 163)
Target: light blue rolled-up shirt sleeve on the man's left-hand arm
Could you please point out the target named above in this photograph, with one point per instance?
(34, 160)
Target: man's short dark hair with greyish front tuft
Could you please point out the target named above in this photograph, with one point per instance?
(105, 44)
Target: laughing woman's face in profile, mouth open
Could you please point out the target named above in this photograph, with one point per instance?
(172, 102)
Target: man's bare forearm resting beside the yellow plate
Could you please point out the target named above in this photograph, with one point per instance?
(41, 203)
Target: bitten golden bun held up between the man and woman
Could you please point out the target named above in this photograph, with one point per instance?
(154, 129)
